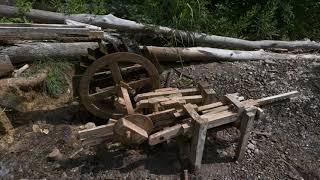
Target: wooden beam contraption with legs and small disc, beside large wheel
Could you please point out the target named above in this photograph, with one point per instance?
(184, 114)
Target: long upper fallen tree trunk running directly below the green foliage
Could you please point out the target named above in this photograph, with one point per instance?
(110, 21)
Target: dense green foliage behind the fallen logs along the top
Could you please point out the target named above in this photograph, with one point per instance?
(250, 19)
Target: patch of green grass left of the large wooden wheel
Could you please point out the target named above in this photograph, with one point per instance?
(56, 81)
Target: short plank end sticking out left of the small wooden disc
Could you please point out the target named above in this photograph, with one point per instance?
(99, 131)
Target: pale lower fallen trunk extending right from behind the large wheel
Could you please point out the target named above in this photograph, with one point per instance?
(167, 54)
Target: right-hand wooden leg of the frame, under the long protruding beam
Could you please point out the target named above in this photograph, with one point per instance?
(245, 129)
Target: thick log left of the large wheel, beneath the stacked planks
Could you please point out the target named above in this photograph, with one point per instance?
(33, 51)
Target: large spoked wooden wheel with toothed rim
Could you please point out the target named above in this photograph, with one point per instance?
(104, 78)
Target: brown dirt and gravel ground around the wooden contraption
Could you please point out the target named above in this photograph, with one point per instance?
(284, 145)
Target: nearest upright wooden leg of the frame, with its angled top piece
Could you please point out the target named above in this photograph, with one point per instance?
(200, 126)
